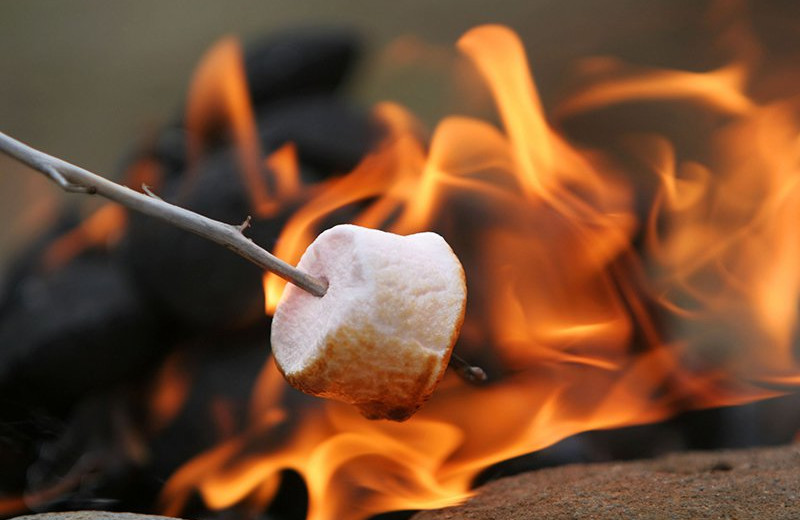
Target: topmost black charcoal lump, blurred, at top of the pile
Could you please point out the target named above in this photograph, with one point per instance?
(299, 62)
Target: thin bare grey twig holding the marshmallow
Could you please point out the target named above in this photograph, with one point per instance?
(72, 178)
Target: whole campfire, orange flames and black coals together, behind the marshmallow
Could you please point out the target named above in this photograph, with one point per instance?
(631, 257)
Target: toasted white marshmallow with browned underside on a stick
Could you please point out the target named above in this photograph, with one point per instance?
(381, 336)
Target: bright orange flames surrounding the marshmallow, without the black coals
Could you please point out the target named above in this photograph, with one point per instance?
(592, 330)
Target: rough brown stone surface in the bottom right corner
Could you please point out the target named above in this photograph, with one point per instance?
(748, 484)
